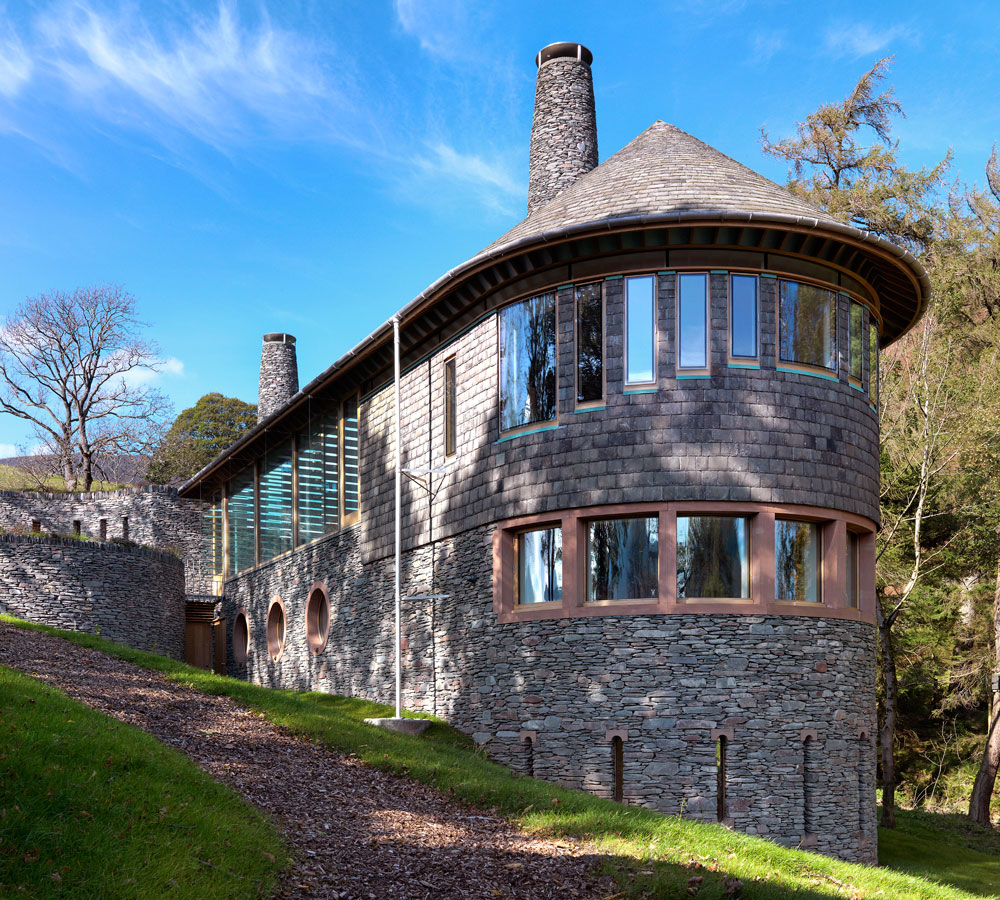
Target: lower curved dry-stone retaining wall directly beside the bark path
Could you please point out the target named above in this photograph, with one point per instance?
(127, 594)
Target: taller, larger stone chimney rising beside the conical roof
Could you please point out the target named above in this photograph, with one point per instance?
(564, 127)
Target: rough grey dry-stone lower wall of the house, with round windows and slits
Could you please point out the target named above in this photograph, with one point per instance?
(668, 681)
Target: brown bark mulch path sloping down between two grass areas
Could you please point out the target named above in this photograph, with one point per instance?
(355, 832)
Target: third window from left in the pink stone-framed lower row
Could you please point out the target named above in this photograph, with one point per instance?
(713, 559)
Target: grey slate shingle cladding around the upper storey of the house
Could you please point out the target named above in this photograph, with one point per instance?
(752, 435)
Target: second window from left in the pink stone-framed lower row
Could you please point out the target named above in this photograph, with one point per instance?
(622, 559)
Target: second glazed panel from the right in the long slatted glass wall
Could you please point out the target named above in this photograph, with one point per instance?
(319, 477)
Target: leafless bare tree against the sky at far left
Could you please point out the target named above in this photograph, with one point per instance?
(71, 364)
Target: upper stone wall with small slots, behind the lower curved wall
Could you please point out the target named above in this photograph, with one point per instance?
(156, 516)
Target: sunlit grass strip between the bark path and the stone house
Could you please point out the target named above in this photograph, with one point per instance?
(651, 854)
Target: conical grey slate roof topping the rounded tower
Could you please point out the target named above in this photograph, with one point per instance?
(663, 170)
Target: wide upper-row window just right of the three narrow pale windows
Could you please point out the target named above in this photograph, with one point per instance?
(807, 325)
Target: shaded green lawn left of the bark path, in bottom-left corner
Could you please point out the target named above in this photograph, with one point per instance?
(91, 807)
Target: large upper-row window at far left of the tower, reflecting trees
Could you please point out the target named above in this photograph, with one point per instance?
(528, 362)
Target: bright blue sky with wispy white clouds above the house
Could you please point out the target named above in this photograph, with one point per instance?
(311, 166)
